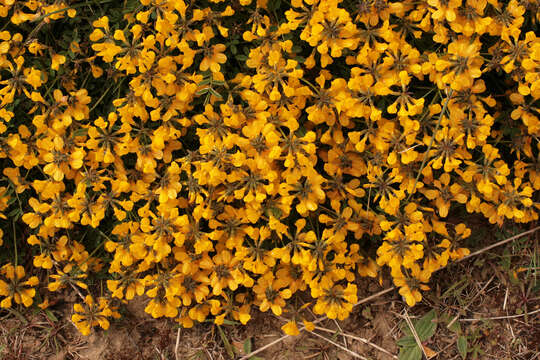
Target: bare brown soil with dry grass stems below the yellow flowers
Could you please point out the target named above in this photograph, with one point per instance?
(495, 297)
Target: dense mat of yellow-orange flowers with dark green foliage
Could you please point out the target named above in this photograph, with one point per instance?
(222, 156)
